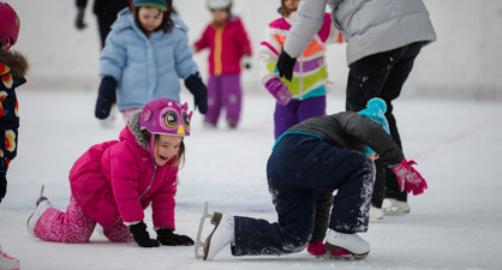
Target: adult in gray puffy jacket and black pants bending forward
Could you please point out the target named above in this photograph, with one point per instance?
(384, 37)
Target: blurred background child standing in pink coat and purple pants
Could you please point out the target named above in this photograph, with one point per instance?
(228, 42)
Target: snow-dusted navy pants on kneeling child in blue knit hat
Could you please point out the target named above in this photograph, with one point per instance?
(297, 169)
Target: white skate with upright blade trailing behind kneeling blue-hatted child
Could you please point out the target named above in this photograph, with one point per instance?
(221, 235)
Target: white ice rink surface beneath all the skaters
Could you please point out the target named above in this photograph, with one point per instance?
(455, 225)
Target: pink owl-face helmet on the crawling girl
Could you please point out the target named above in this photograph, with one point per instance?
(165, 116)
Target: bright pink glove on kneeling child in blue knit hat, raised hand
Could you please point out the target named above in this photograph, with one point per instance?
(409, 179)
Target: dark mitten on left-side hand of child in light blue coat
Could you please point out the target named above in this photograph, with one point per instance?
(106, 97)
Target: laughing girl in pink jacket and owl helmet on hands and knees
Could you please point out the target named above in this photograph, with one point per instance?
(113, 182)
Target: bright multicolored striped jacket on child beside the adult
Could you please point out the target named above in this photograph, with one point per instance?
(310, 72)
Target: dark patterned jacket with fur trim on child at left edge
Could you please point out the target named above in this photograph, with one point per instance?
(10, 78)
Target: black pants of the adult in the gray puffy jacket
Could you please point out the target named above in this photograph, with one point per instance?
(382, 75)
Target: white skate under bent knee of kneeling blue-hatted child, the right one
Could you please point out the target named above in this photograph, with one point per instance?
(346, 246)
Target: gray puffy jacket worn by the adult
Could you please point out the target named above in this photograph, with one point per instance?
(369, 26)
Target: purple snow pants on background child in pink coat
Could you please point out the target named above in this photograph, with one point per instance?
(224, 92)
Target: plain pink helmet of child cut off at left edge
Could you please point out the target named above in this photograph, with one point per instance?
(9, 22)
